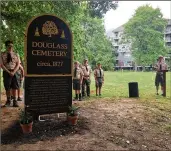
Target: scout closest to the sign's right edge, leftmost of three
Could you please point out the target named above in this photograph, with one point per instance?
(77, 80)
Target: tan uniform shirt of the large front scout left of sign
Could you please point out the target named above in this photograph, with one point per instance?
(12, 64)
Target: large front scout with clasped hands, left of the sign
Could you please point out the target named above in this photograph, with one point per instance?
(10, 64)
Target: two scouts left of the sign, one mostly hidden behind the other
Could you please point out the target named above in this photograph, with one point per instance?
(13, 74)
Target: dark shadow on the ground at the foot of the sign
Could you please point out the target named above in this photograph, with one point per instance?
(43, 130)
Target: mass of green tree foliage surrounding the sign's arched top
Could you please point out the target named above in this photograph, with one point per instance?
(84, 18)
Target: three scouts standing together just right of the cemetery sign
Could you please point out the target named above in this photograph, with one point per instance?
(82, 79)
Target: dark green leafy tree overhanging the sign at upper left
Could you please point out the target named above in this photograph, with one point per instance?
(16, 15)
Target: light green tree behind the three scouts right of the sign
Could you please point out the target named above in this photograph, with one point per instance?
(97, 46)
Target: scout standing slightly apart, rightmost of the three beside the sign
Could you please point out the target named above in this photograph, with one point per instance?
(99, 78)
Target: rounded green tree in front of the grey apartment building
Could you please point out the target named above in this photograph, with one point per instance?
(145, 29)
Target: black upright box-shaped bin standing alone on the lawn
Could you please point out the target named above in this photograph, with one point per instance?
(133, 89)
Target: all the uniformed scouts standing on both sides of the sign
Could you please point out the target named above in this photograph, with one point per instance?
(13, 74)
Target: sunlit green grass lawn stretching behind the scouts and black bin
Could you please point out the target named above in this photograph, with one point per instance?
(116, 88)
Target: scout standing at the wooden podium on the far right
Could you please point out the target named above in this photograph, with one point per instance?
(161, 65)
